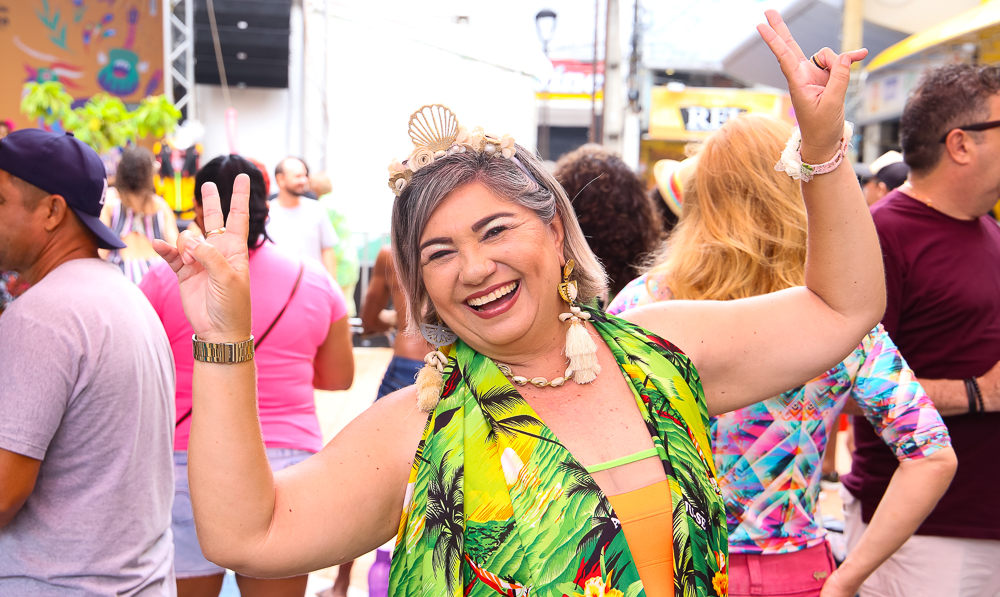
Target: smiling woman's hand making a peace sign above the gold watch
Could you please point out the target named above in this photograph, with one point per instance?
(214, 273)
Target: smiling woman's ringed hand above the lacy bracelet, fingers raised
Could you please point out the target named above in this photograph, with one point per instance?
(817, 93)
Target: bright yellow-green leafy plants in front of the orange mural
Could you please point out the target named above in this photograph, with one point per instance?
(104, 121)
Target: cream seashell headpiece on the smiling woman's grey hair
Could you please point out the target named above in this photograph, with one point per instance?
(435, 133)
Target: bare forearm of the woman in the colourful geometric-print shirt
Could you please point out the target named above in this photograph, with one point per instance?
(914, 490)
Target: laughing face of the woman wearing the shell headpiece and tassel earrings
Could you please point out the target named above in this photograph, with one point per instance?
(491, 267)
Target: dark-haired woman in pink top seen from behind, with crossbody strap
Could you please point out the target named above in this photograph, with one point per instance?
(308, 346)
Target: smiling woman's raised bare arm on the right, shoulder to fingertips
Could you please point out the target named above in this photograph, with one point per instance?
(750, 349)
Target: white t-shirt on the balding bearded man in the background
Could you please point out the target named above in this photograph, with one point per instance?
(302, 231)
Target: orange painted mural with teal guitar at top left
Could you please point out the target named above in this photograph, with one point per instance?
(90, 46)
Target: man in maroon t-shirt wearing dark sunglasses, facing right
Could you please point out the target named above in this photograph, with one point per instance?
(942, 268)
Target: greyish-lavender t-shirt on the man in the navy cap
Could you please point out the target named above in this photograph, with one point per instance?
(87, 387)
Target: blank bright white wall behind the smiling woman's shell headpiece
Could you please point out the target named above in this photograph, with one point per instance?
(378, 75)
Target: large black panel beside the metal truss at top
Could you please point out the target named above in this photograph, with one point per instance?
(253, 35)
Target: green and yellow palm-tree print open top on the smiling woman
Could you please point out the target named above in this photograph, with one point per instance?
(497, 506)
